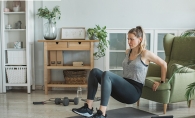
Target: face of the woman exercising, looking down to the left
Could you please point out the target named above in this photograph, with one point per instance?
(133, 41)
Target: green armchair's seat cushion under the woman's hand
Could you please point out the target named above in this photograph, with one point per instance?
(150, 81)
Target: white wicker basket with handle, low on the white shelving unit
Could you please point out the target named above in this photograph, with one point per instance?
(16, 74)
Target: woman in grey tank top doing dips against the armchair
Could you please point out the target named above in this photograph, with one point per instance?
(126, 89)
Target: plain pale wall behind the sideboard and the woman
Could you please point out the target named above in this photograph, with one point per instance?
(113, 14)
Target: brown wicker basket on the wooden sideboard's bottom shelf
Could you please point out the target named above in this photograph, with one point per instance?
(75, 76)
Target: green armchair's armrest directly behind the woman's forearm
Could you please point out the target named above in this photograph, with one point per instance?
(154, 70)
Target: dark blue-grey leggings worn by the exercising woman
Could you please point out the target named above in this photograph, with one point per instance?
(123, 90)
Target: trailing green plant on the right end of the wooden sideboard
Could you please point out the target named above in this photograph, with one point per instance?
(99, 34)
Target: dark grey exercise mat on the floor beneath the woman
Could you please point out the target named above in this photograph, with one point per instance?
(127, 112)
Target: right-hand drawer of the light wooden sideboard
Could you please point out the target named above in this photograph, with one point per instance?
(79, 45)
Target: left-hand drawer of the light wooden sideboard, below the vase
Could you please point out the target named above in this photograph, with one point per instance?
(56, 45)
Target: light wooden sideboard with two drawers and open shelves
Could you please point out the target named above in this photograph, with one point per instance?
(63, 45)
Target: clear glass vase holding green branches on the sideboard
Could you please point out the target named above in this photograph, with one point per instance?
(50, 32)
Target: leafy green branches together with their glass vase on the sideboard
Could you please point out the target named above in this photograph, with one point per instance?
(50, 32)
